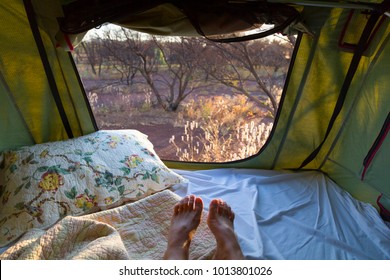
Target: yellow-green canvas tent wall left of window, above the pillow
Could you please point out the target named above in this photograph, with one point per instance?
(28, 112)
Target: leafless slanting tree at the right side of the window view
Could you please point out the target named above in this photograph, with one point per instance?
(251, 69)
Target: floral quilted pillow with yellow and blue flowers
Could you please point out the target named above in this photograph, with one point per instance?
(43, 183)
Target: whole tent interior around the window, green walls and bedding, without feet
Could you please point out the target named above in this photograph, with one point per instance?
(317, 189)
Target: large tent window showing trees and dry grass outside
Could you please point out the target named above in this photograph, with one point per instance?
(197, 100)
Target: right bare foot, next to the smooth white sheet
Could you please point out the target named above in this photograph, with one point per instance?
(220, 221)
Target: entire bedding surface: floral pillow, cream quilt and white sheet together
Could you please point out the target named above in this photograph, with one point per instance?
(107, 195)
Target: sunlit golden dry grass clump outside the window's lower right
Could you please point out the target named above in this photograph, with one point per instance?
(220, 130)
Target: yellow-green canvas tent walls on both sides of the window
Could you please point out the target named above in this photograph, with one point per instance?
(42, 99)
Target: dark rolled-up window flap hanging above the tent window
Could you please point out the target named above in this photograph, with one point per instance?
(221, 21)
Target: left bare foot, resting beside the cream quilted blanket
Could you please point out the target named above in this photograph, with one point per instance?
(186, 218)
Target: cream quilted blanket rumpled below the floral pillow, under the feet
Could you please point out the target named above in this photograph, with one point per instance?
(133, 231)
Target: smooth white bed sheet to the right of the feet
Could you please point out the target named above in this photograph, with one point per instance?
(287, 215)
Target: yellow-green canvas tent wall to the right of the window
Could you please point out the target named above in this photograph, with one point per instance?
(365, 109)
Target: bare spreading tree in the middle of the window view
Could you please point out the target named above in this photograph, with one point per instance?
(170, 68)
